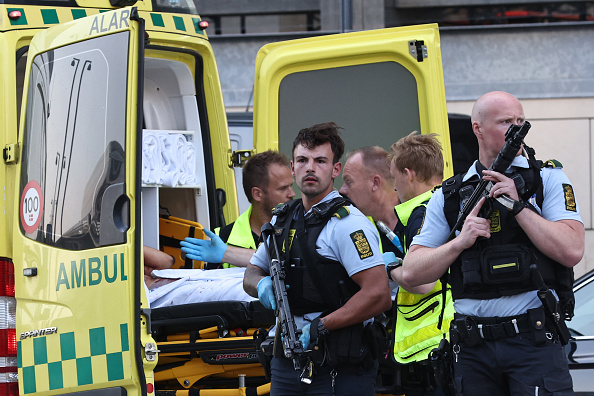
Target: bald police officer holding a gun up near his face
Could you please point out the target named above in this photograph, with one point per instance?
(507, 344)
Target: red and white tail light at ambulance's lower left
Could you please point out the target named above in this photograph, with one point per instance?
(8, 343)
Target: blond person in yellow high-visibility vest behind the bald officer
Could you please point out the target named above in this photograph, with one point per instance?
(416, 162)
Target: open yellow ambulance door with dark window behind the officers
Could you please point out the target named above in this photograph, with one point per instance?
(379, 85)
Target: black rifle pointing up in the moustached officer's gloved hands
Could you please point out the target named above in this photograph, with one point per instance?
(292, 348)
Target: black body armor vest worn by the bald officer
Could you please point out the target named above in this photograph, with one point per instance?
(500, 266)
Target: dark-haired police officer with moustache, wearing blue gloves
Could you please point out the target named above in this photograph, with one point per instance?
(335, 274)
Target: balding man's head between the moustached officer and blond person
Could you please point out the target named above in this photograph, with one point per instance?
(368, 183)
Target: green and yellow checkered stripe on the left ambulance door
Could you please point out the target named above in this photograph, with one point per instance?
(59, 360)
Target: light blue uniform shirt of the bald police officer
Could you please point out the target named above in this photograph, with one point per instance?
(556, 205)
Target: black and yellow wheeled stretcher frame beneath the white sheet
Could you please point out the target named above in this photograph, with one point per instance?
(209, 348)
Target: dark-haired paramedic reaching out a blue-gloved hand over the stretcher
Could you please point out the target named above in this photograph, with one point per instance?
(267, 181)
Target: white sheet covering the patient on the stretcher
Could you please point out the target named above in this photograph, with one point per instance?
(196, 285)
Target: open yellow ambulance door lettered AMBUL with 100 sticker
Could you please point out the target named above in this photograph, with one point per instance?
(77, 241)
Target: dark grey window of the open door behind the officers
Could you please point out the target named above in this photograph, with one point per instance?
(375, 104)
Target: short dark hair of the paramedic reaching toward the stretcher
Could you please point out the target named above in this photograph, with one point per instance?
(255, 170)
